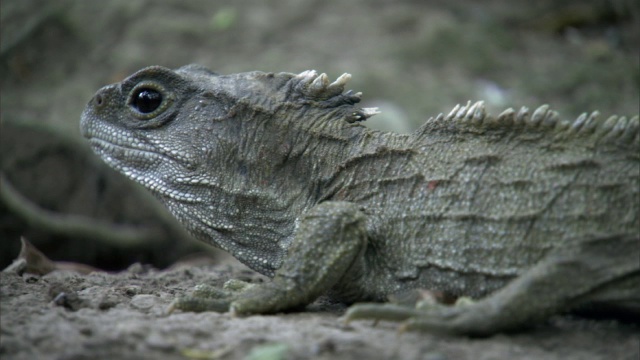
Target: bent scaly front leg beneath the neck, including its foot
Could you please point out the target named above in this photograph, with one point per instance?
(328, 240)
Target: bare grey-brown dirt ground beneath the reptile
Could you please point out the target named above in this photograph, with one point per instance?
(122, 316)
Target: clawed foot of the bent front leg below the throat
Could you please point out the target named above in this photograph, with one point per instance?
(210, 298)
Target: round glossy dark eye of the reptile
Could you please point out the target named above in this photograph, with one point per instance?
(148, 100)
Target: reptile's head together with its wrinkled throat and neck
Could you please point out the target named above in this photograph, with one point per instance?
(209, 146)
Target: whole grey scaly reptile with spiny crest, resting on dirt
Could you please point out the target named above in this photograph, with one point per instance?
(527, 214)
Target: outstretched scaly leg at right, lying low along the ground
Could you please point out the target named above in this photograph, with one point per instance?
(593, 271)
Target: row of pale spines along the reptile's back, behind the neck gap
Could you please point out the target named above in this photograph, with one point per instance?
(614, 128)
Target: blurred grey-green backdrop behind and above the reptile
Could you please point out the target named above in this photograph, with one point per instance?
(413, 59)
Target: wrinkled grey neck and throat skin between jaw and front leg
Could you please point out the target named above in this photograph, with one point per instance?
(256, 170)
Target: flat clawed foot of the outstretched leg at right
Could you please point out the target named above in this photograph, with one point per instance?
(464, 318)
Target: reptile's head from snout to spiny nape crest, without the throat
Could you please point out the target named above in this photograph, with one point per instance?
(158, 114)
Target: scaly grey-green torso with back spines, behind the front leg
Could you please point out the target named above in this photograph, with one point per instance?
(490, 196)
